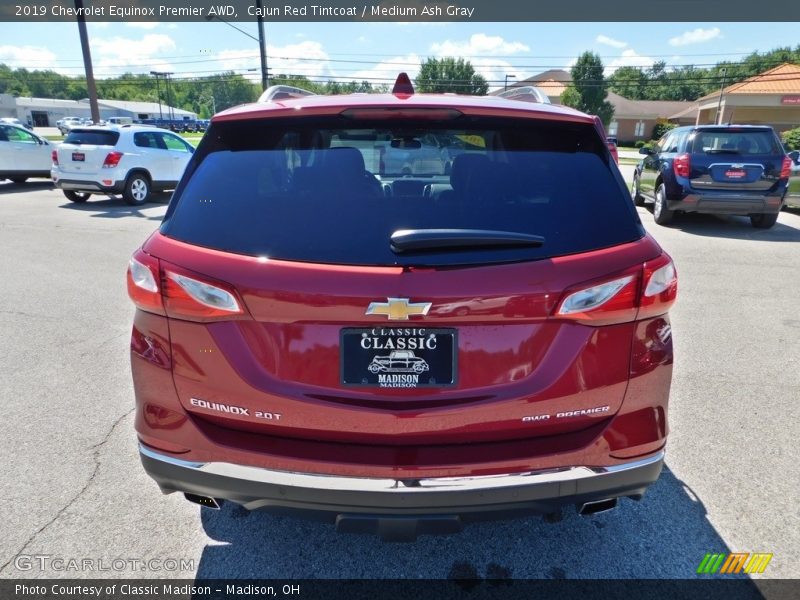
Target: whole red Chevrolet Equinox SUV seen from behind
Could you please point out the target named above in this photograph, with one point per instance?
(295, 262)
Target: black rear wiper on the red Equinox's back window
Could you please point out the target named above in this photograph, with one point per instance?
(411, 240)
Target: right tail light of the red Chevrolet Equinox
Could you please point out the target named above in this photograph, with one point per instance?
(645, 291)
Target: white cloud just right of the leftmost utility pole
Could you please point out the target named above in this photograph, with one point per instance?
(120, 54)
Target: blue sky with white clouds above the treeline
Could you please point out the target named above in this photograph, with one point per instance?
(378, 51)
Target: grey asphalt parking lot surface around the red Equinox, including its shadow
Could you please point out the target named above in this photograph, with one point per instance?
(73, 486)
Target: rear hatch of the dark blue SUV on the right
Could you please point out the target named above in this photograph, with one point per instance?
(735, 158)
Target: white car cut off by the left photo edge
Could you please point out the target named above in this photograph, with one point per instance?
(23, 154)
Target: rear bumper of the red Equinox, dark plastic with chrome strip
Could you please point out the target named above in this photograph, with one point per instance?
(461, 498)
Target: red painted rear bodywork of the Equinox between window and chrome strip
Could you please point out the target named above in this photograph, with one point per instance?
(514, 357)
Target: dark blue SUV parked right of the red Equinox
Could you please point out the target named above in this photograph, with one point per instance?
(716, 169)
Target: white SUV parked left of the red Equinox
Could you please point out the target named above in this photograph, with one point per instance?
(130, 160)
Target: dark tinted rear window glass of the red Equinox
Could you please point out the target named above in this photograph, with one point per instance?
(334, 191)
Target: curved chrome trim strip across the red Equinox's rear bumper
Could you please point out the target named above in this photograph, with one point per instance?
(367, 484)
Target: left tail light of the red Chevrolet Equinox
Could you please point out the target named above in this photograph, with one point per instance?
(161, 288)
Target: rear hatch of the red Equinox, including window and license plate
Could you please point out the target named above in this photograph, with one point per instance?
(399, 318)
